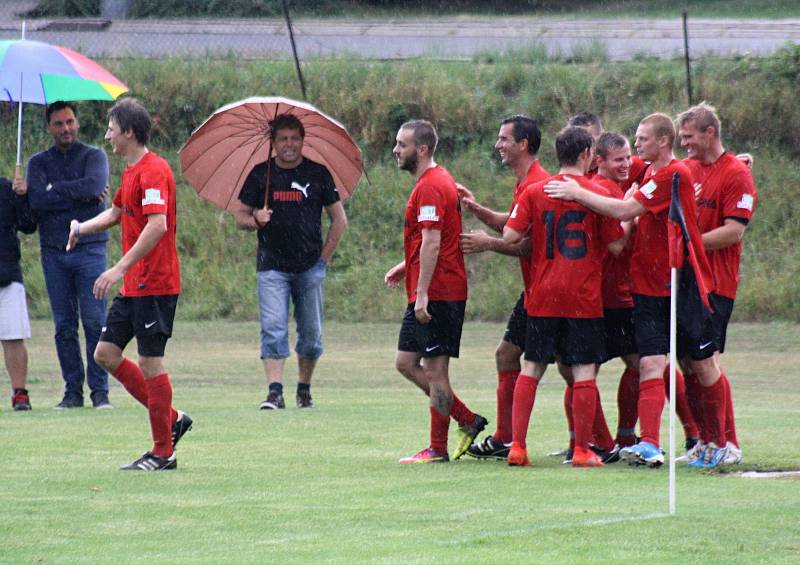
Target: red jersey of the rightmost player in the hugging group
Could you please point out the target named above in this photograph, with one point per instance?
(723, 189)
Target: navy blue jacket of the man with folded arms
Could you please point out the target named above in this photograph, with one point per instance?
(76, 181)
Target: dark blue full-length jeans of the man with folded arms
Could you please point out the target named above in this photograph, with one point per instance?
(69, 278)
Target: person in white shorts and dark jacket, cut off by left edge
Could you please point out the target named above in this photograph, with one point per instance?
(15, 215)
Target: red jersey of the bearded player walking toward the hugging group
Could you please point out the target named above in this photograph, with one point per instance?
(434, 204)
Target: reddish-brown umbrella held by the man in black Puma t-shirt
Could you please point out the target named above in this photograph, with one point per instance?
(220, 154)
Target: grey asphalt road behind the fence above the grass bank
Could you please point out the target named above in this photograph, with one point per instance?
(446, 38)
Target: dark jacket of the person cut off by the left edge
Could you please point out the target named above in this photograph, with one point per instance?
(15, 215)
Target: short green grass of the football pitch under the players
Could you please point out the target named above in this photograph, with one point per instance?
(324, 486)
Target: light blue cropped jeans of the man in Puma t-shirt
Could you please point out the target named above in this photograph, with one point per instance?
(275, 288)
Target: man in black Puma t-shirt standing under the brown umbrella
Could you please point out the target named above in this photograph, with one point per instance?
(292, 259)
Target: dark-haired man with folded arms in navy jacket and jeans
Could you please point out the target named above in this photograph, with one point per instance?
(68, 181)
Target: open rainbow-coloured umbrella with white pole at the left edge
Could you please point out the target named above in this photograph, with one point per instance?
(40, 73)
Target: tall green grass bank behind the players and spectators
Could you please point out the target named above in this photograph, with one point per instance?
(756, 98)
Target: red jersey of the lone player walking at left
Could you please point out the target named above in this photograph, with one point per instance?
(148, 187)
